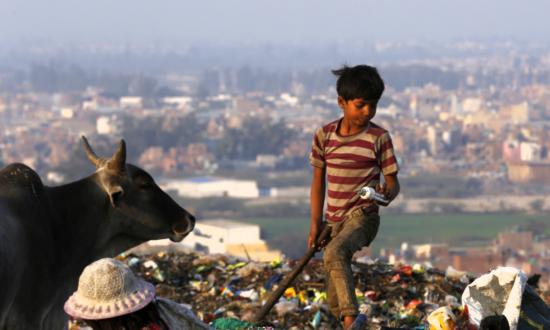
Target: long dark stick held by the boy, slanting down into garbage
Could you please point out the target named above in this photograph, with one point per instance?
(287, 281)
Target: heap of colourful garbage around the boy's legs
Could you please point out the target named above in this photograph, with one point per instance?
(223, 287)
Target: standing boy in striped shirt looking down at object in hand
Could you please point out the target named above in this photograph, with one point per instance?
(348, 154)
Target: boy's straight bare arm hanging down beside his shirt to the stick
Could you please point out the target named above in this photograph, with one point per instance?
(317, 201)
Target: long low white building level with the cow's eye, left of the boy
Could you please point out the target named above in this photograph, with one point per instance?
(213, 187)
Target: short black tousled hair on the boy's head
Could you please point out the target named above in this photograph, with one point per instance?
(361, 81)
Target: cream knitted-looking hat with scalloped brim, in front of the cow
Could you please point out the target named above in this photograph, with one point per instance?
(108, 288)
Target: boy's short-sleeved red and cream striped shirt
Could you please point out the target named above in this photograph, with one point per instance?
(351, 163)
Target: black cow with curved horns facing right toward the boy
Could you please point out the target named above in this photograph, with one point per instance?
(49, 234)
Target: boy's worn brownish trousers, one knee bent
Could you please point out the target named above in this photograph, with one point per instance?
(348, 236)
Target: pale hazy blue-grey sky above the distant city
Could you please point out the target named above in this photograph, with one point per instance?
(275, 21)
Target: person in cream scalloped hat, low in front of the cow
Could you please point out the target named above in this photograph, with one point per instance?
(111, 296)
